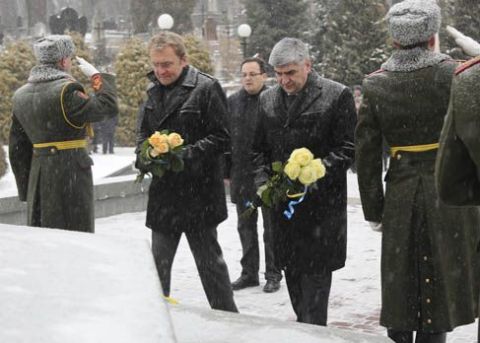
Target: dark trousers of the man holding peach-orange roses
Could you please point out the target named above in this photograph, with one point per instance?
(208, 257)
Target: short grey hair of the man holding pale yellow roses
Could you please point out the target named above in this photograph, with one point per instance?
(288, 50)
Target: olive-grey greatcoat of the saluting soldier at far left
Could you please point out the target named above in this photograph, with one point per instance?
(57, 184)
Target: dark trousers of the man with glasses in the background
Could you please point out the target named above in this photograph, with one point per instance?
(247, 229)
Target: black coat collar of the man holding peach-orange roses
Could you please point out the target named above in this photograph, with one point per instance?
(179, 92)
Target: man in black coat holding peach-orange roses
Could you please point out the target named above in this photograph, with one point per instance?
(183, 100)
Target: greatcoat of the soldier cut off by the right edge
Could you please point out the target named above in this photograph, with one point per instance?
(458, 162)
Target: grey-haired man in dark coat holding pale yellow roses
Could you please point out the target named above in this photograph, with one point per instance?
(305, 110)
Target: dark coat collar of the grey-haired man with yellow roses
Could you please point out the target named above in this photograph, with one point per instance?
(308, 95)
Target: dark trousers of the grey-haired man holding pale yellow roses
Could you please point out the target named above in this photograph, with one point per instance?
(309, 295)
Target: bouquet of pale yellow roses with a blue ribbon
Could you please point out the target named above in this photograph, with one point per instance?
(289, 182)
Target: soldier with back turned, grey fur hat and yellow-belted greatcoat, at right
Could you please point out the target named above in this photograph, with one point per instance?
(429, 251)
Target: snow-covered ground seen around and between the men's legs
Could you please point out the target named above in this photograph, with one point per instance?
(355, 296)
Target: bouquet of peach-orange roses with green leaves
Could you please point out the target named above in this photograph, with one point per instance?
(161, 152)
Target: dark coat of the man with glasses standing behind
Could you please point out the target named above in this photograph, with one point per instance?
(242, 108)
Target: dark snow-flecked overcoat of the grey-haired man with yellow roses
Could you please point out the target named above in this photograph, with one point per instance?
(322, 119)
